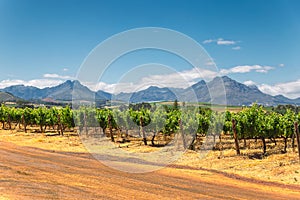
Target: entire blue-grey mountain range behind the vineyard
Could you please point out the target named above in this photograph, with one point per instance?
(236, 93)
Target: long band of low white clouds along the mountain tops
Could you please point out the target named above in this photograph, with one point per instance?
(181, 79)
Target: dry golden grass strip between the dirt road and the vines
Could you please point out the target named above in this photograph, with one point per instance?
(275, 167)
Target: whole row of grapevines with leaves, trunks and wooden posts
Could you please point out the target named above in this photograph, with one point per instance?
(157, 125)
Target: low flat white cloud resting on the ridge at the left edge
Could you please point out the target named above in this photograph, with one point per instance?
(39, 83)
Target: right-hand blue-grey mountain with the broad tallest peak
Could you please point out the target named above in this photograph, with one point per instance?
(224, 90)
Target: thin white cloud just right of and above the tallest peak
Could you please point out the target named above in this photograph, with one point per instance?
(246, 69)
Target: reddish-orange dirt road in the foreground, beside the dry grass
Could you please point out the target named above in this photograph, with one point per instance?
(32, 173)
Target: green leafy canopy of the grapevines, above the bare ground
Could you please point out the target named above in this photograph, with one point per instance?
(252, 122)
